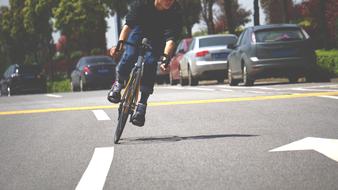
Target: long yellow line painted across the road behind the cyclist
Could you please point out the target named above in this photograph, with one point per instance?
(274, 97)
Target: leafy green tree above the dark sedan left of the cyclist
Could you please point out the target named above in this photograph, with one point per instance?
(83, 23)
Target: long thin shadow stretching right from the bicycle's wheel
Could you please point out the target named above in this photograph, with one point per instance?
(168, 139)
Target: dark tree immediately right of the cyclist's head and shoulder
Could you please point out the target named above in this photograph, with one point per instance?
(191, 13)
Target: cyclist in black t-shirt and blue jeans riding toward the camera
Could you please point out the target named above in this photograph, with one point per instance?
(160, 21)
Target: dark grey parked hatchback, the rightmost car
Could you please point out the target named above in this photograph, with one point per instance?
(282, 50)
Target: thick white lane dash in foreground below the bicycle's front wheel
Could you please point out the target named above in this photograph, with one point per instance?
(96, 173)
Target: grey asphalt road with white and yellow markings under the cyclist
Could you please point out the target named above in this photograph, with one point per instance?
(205, 137)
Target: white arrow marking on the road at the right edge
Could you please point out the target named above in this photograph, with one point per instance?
(327, 147)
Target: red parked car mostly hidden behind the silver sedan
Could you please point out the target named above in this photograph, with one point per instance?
(174, 71)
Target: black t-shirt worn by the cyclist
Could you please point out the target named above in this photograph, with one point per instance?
(156, 25)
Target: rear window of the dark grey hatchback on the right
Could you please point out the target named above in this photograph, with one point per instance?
(275, 35)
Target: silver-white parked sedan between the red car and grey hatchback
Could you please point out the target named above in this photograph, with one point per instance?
(206, 59)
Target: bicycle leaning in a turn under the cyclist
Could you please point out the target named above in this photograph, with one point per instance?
(131, 93)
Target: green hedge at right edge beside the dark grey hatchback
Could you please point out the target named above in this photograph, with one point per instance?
(328, 60)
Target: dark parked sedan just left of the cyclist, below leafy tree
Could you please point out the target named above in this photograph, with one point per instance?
(93, 72)
